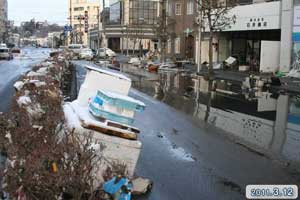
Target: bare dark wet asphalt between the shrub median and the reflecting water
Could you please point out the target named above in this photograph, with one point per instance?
(190, 160)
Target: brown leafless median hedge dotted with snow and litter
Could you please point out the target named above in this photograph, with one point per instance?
(42, 160)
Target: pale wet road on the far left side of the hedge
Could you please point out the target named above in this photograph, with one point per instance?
(11, 70)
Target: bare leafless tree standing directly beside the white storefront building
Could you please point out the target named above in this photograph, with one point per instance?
(215, 19)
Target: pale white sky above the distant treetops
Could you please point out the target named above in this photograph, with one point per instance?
(54, 11)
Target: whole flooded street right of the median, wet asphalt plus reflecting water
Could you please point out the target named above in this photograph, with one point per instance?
(189, 159)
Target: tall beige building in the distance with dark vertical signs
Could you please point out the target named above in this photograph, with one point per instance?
(78, 9)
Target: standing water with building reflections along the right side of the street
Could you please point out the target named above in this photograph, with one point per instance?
(266, 122)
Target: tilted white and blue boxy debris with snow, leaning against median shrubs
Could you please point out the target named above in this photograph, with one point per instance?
(104, 109)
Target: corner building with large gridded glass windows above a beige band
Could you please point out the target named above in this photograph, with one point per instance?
(131, 25)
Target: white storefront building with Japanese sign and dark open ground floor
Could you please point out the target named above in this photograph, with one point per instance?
(262, 34)
